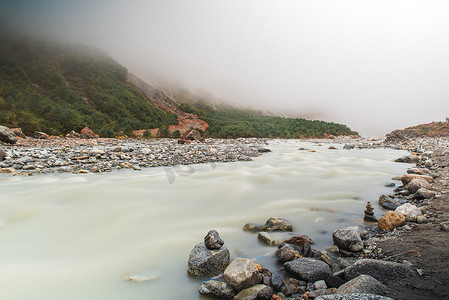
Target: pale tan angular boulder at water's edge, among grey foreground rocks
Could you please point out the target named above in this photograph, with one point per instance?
(242, 274)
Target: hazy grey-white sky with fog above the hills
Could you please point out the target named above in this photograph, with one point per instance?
(374, 65)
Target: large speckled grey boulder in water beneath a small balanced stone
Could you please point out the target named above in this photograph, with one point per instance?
(204, 262)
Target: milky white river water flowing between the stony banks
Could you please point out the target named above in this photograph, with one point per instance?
(78, 236)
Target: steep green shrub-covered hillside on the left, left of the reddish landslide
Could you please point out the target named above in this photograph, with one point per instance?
(57, 89)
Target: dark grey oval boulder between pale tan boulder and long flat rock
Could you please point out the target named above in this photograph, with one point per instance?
(308, 269)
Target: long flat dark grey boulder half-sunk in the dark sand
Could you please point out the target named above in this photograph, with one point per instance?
(380, 270)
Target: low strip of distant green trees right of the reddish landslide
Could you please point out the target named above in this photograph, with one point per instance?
(233, 123)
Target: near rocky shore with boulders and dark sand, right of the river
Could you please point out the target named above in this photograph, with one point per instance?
(401, 256)
